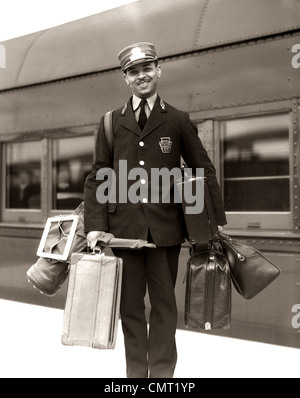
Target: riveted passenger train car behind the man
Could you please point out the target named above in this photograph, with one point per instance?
(233, 65)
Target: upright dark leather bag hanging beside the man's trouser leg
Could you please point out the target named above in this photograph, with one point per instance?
(208, 291)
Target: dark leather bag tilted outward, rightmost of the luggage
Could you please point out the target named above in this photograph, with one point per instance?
(251, 271)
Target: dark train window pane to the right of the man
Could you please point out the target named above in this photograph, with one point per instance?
(256, 166)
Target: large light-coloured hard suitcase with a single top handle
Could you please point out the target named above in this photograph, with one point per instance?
(93, 301)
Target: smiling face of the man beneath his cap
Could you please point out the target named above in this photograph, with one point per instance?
(142, 79)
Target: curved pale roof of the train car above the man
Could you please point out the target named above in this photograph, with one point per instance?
(91, 45)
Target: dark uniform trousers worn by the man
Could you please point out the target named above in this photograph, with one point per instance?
(150, 352)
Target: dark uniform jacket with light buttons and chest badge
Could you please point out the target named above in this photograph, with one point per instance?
(144, 150)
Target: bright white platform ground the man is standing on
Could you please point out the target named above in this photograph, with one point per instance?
(30, 347)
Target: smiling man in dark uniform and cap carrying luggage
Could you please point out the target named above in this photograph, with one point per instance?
(167, 135)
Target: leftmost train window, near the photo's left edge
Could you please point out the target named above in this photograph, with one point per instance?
(23, 175)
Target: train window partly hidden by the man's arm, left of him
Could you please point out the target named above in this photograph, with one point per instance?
(72, 160)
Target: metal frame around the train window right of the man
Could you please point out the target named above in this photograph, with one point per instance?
(257, 221)
